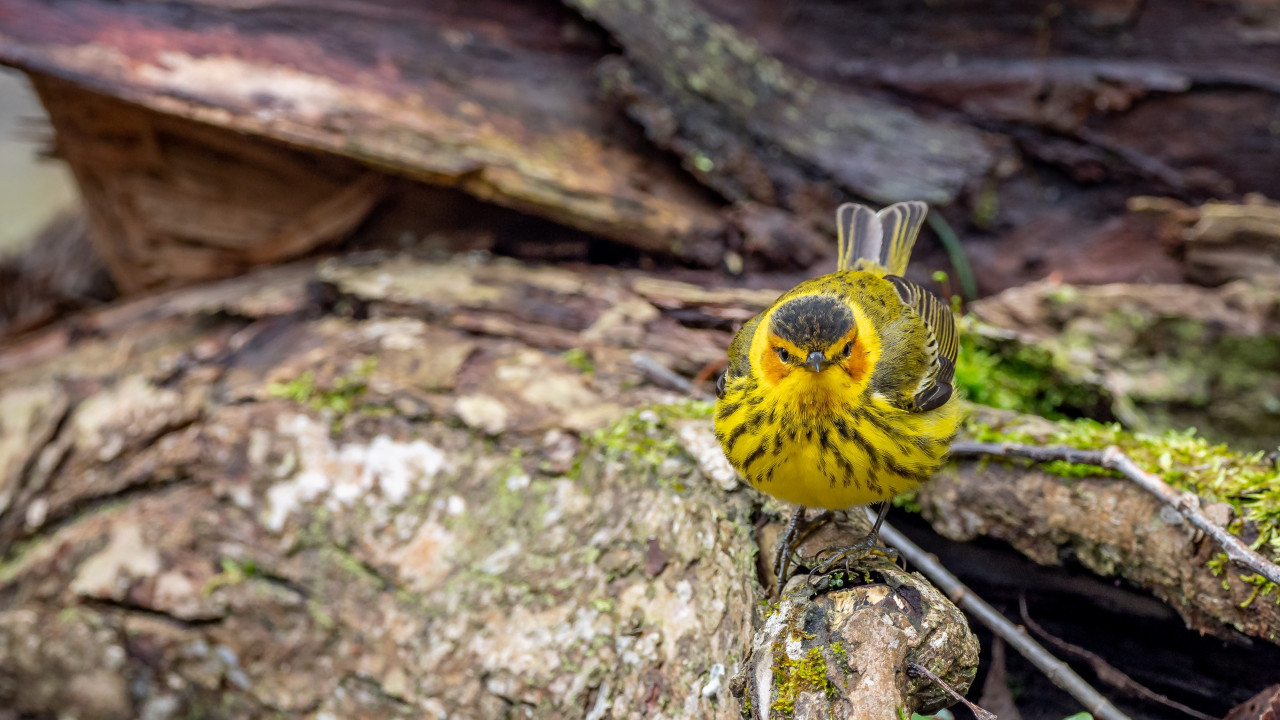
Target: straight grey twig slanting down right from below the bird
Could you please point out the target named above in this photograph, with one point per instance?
(1058, 672)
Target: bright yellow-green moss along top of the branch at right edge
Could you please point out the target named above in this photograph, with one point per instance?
(1246, 481)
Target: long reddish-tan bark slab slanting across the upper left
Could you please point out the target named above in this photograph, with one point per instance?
(382, 86)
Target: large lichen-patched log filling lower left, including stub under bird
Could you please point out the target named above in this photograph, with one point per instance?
(388, 489)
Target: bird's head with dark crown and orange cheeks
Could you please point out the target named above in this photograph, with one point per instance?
(812, 334)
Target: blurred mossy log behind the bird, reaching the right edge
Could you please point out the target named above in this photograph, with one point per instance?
(1154, 357)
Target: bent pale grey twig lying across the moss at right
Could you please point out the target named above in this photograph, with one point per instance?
(1113, 459)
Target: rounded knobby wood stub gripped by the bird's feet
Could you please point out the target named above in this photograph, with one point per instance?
(842, 646)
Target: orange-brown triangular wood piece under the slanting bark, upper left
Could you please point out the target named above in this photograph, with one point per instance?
(175, 203)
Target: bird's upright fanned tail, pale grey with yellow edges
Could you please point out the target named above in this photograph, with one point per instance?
(879, 241)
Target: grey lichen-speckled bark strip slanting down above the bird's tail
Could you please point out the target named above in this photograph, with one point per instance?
(756, 130)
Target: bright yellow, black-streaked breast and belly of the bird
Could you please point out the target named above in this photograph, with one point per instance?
(842, 458)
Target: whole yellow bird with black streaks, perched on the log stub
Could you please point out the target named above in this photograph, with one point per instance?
(842, 394)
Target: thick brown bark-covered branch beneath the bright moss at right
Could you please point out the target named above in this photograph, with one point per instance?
(1109, 526)
